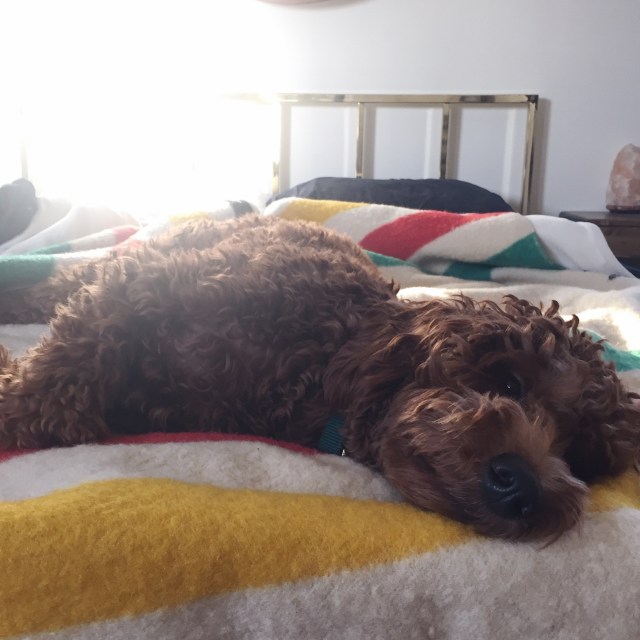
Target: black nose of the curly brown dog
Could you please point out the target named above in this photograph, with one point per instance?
(511, 487)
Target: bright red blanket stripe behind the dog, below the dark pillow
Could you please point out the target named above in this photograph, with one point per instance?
(404, 236)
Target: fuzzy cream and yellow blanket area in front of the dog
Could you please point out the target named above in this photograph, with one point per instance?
(133, 542)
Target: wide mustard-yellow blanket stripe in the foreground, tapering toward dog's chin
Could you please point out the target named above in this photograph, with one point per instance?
(125, 547)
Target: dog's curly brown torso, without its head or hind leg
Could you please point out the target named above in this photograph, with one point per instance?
(229, 323)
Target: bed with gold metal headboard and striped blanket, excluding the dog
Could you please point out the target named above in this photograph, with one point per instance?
(205, 535)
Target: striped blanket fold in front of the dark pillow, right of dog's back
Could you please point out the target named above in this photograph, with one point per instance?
(496, 246)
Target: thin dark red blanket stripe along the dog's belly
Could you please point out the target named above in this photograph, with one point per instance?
(162, 438)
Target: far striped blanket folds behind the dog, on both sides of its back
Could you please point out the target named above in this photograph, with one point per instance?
(499, 247)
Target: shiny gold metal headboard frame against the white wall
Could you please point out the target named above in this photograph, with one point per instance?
(362, 101)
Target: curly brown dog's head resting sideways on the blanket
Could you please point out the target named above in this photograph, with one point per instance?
(508, 413)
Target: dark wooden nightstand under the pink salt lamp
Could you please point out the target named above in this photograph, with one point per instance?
(621, 230)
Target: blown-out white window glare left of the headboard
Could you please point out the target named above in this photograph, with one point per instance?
(118, 101)
